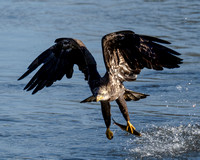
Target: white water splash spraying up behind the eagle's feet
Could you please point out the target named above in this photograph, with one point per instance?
(166, 141)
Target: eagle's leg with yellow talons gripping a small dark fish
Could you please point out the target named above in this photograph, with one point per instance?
(124, 110)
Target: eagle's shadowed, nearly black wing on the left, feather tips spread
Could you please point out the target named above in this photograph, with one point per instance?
(58, 61)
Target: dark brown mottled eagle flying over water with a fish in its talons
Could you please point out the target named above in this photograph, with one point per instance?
(125, 54)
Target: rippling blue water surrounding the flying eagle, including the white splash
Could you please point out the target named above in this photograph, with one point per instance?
(54, 125)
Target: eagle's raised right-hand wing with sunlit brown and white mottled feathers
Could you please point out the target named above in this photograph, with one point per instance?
(126, 53)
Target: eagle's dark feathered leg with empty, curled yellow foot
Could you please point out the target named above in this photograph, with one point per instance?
(105, 108)
